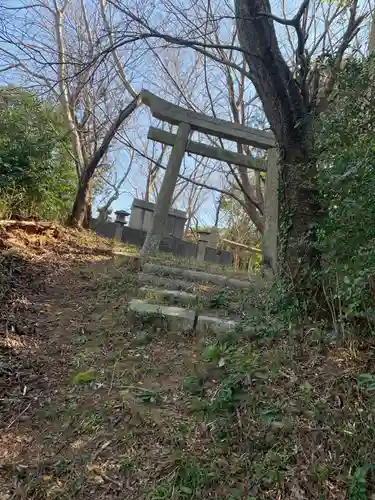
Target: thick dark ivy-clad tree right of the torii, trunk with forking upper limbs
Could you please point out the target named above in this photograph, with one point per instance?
(291, 107)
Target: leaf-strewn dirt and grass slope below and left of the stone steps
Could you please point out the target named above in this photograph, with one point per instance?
(93, 406)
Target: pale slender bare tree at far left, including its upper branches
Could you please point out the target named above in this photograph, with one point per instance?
(90, 94)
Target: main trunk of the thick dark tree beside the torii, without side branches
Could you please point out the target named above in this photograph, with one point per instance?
(288, 113)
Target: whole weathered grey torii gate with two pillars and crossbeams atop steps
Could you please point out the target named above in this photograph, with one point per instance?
(187, 122)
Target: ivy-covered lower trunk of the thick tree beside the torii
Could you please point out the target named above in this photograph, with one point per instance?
(299, 213)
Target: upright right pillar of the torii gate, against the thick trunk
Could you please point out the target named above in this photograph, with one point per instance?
(271, 214)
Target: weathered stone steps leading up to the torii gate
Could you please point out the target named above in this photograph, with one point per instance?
(179, 299)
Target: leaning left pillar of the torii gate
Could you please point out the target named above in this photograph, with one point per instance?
(164, 200)
